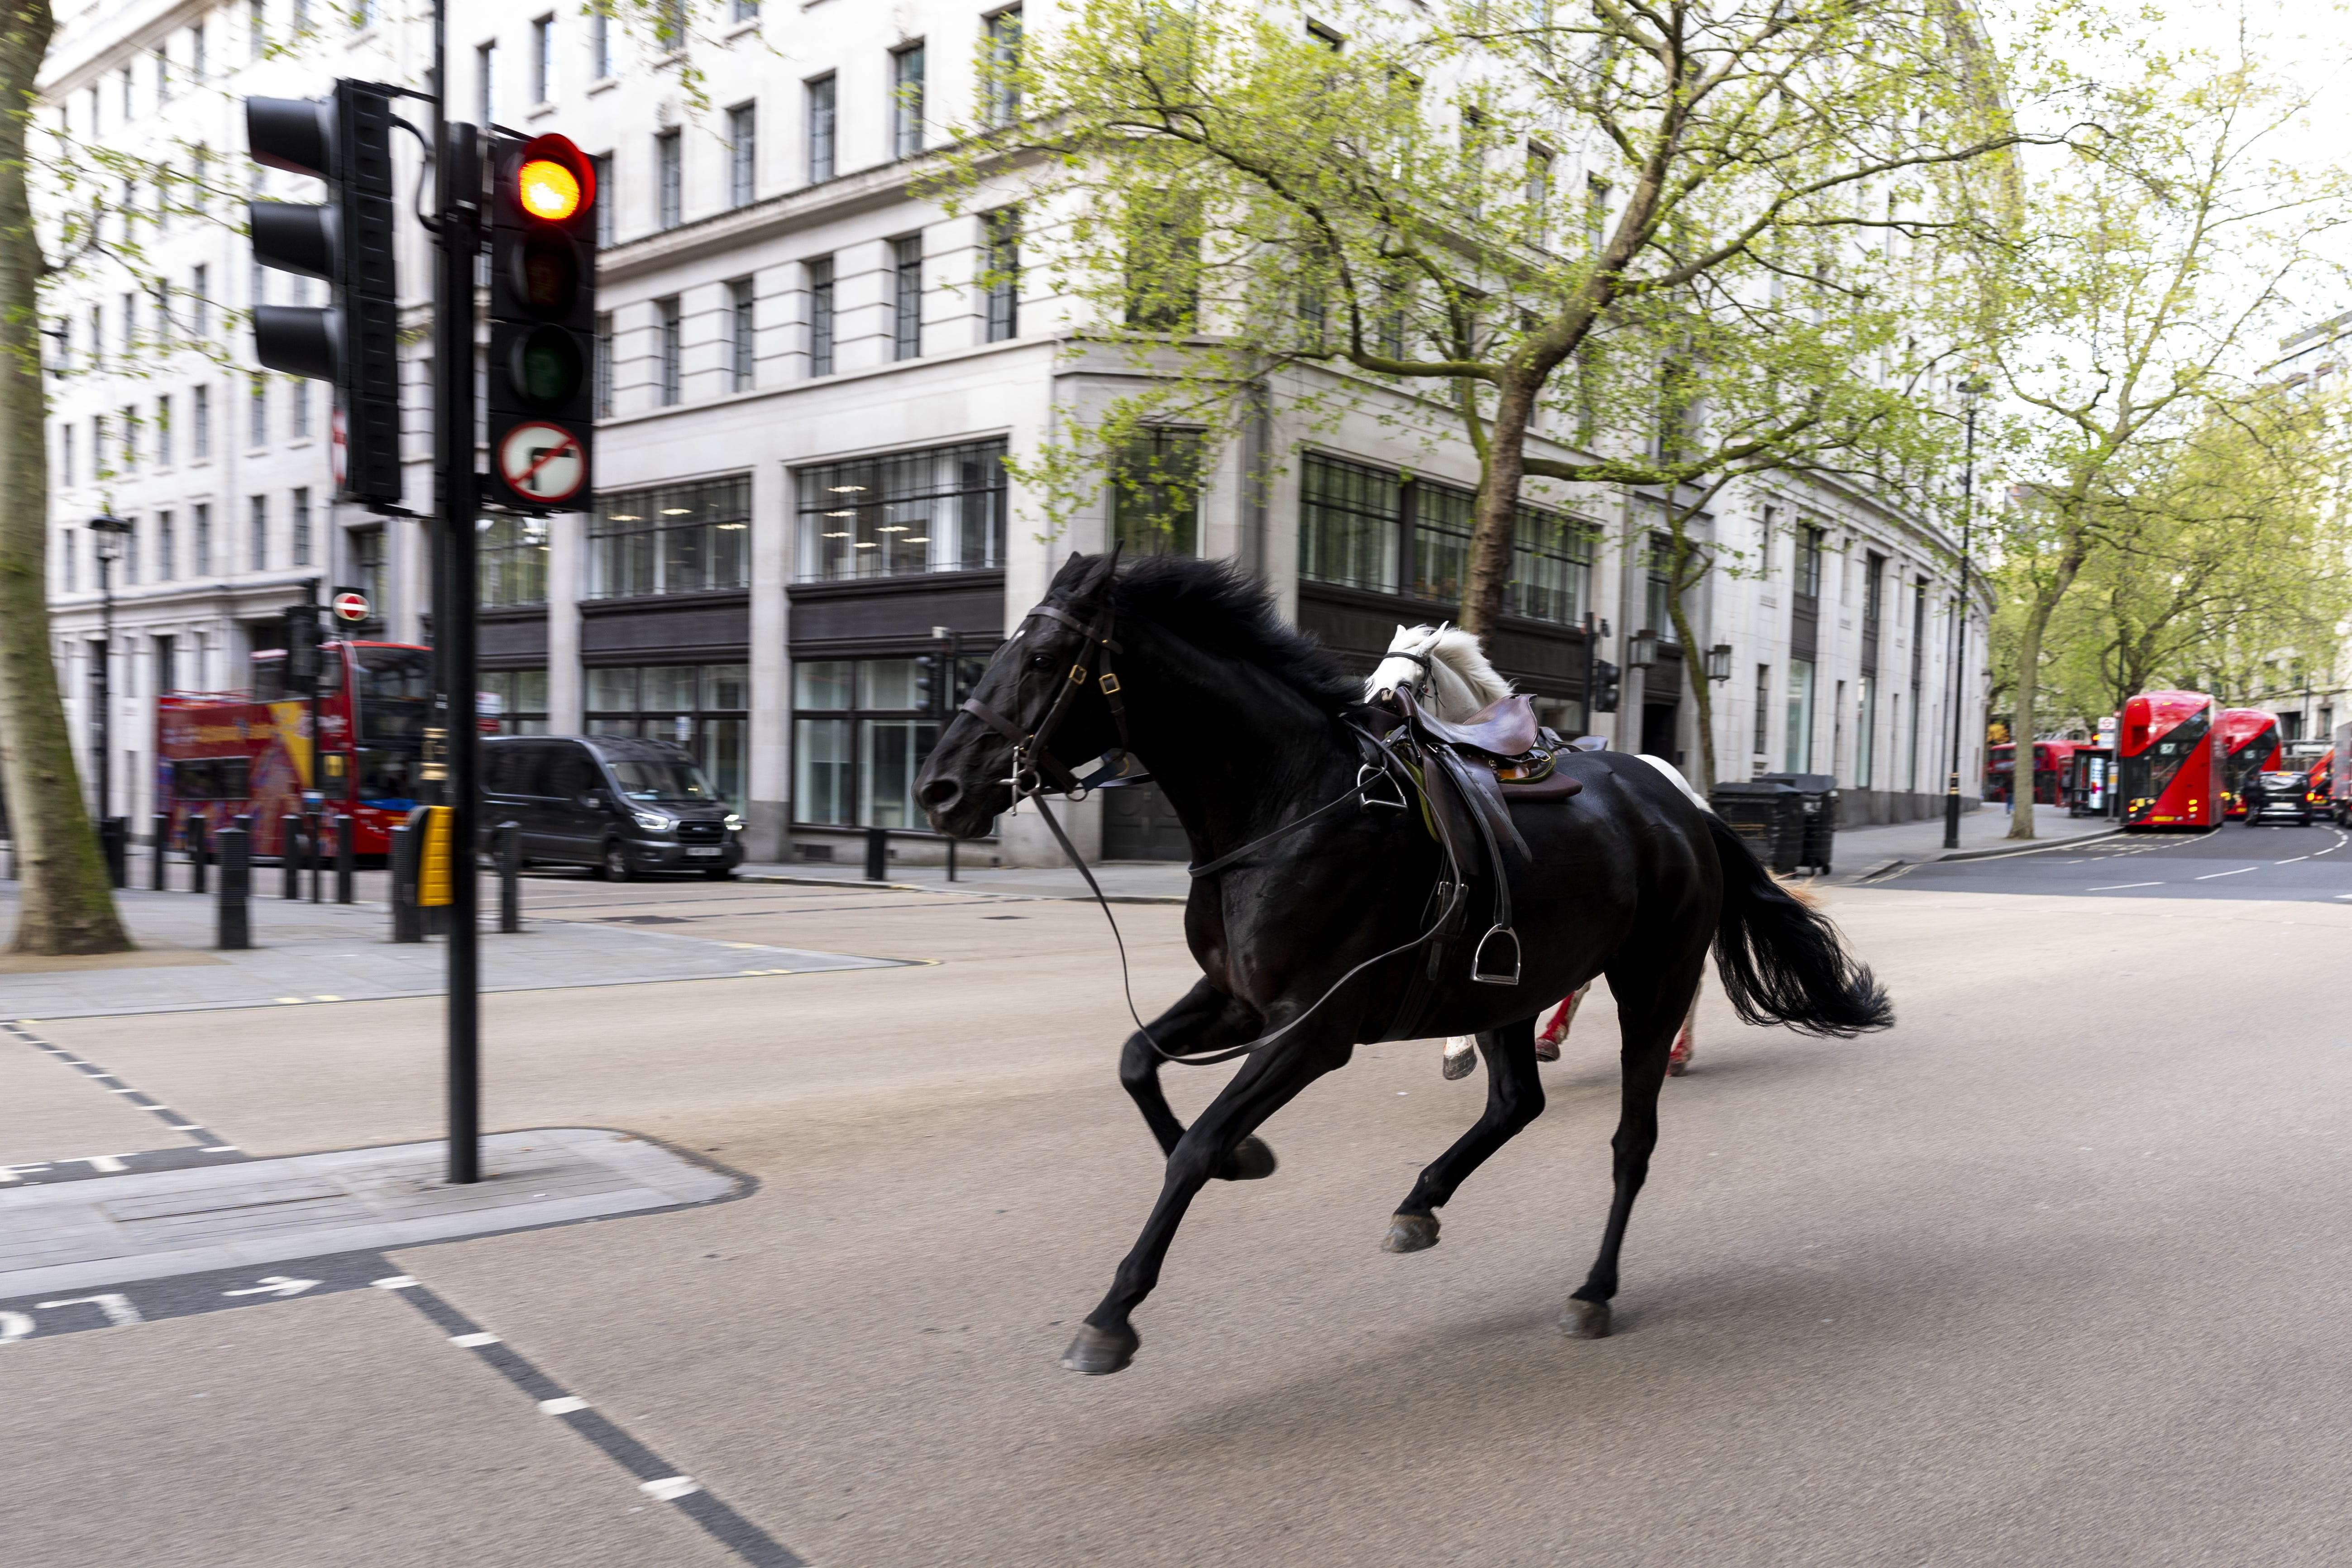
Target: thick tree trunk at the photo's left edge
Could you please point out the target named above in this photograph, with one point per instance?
(67, 904)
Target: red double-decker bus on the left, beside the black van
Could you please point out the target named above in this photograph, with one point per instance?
(248, 753)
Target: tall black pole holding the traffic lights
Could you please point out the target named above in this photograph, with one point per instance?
(460, 243)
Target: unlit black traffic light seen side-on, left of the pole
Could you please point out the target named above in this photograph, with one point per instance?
(354, 342)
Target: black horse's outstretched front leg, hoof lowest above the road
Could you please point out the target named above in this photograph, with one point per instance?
(1257, 1092)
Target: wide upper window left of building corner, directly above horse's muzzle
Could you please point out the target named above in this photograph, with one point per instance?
(904, 514)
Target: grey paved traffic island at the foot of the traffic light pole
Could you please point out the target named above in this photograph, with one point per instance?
(187, 1221)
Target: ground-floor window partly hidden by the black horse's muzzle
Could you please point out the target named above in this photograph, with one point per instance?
(862, 730)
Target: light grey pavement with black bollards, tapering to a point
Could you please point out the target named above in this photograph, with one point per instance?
(345, 953)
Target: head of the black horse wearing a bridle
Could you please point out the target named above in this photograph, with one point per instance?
(1045, 678)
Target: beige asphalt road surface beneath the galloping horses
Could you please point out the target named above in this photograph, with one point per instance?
(2052, 1273)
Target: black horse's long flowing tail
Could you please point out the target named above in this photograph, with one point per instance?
(1782, 960)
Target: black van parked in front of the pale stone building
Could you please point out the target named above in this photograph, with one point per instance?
(620, 805)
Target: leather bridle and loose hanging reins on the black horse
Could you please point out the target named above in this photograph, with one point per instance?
(1034, 763)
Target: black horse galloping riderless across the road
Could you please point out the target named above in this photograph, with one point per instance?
(1250, 728)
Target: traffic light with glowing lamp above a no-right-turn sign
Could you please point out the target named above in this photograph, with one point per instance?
(542, 323)
